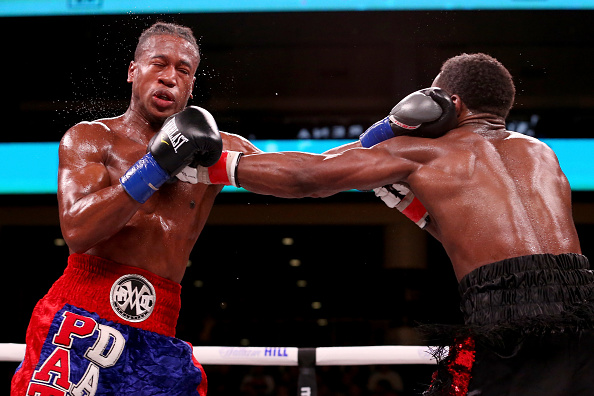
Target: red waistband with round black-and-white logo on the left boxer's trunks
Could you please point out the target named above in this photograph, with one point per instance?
(89, 282)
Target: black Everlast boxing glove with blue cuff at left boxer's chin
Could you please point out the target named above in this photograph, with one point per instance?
(188, 137)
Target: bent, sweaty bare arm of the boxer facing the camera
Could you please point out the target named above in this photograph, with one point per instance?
(90, 208)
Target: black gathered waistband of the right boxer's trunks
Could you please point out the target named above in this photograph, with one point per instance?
(541, 288)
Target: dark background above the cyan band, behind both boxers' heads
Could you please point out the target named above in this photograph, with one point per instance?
(266, 75)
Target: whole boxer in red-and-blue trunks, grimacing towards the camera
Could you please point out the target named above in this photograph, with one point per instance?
(107, 326)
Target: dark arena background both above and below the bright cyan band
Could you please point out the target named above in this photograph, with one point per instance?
(284, 76)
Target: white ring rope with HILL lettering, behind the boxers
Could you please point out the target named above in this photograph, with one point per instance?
(275, 356)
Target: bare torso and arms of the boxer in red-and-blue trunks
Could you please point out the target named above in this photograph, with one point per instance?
(99, 218)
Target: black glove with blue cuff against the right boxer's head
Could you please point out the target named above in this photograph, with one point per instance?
(428, 113)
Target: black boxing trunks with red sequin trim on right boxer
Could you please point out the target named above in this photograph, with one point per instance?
(529, 330)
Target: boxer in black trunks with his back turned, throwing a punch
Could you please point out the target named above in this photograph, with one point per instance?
(500, 205)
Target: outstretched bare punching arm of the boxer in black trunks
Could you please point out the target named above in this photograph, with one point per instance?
(297, 175)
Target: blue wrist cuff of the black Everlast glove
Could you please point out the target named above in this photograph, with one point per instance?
(144, 178)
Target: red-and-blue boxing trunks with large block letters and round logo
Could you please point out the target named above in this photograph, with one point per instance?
(107, 329)
